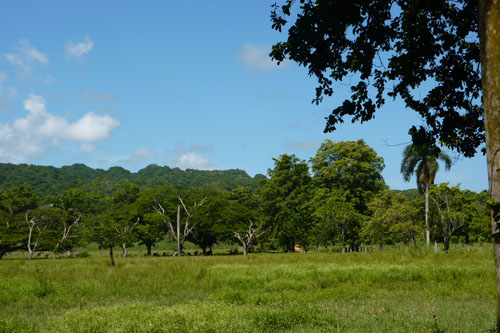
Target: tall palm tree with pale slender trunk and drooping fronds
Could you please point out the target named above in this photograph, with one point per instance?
(423, 161)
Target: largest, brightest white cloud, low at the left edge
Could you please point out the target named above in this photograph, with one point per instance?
(27, 137)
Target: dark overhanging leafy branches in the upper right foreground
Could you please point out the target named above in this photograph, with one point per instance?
(425, 46)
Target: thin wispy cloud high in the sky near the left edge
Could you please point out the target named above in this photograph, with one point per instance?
(25, 57)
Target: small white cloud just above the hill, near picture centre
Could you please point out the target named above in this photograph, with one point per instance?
(193, 156)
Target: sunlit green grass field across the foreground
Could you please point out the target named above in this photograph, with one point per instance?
(405, 291)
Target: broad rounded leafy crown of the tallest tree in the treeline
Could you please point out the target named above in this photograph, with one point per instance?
(351, 166)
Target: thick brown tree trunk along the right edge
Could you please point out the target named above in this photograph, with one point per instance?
(489, 36)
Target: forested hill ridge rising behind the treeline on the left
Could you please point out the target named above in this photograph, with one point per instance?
(47, 180)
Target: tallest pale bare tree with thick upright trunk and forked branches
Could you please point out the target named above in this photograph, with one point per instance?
(188, 226)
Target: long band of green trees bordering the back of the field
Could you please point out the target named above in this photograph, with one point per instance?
(337, 198)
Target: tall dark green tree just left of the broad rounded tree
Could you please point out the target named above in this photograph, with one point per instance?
(284, 198)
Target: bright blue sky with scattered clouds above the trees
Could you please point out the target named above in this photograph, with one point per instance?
(176, 83)
